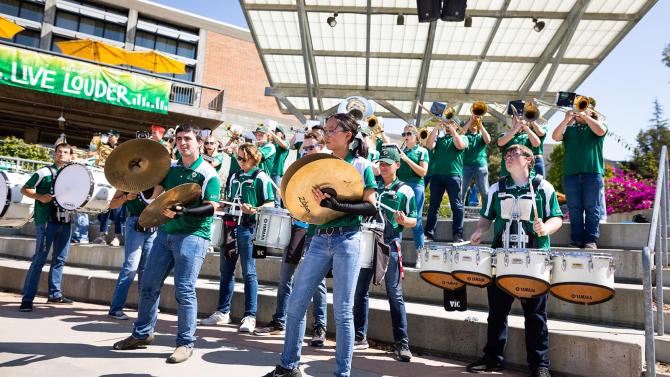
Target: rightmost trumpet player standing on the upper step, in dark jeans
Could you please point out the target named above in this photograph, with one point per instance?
(583, 135)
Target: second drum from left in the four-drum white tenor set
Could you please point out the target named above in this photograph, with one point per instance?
(472, 265)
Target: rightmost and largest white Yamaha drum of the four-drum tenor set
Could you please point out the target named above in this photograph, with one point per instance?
(583, 278)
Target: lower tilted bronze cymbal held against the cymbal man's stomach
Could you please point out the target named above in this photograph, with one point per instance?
(180, 195)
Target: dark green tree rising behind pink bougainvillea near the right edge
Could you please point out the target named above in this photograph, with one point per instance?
(649, 144)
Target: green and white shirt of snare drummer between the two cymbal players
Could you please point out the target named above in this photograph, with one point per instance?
(253, 191)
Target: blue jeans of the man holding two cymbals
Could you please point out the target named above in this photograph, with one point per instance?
(185, 253)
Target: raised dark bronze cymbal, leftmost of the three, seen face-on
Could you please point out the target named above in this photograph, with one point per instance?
(137, 165)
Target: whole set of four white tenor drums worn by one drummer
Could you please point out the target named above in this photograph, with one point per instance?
(576, 277)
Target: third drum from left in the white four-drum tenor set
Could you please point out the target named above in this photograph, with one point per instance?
(523, 273)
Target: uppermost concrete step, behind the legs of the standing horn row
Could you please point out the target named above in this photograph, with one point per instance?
(612, 236)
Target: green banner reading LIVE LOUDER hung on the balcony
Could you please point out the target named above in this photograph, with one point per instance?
(72, 78)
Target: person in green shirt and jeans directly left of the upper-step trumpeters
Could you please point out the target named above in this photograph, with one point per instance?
(414, 163)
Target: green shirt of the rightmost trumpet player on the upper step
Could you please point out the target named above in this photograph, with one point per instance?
(583, 150)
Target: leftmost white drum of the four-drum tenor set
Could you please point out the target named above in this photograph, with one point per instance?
(436, 267)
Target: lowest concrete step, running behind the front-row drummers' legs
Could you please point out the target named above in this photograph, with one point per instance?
(575, 349)
